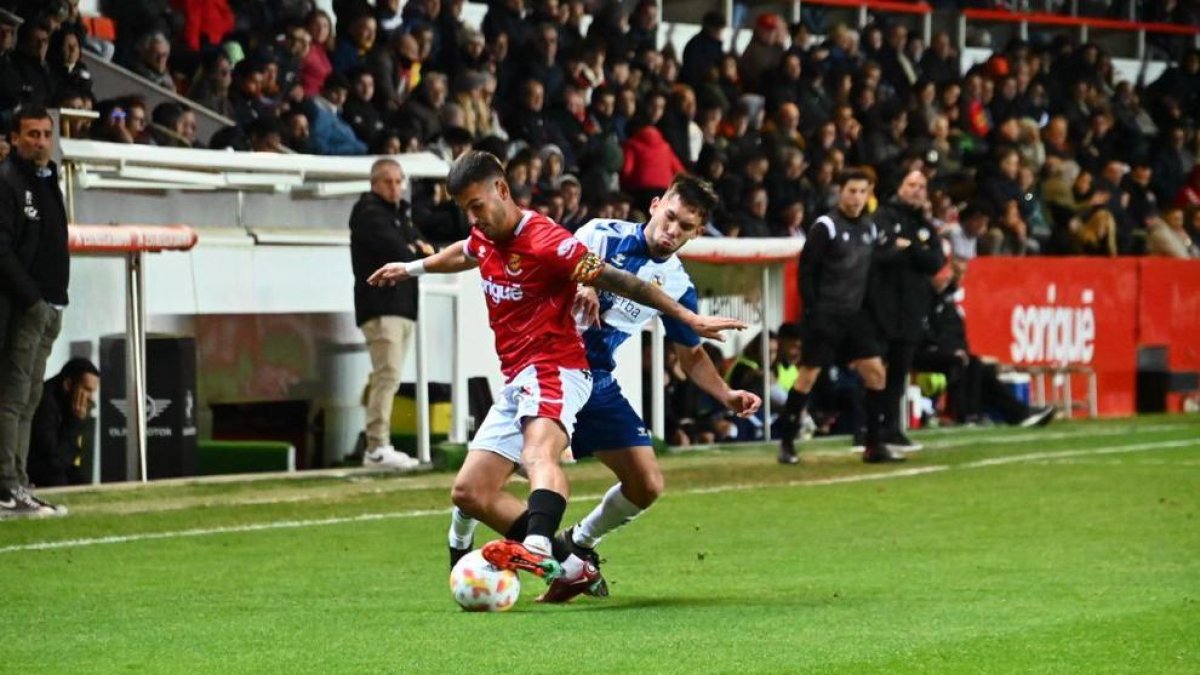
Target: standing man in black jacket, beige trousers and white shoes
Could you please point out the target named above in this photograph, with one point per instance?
(382, 232)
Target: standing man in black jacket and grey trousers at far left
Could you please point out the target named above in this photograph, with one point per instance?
(35, 271)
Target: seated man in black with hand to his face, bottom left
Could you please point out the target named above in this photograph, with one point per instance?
(57, 443)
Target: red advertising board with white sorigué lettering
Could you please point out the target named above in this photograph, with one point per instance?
(1042, 312)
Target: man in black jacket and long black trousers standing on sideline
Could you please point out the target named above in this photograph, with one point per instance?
(902, 292)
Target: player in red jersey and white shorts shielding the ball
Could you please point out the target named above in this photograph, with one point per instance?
(531, 268)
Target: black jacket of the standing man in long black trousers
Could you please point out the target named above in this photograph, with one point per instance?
(902, 291)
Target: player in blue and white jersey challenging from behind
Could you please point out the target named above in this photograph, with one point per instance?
(608, 427)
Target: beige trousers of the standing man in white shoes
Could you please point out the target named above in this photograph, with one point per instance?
(388, 338)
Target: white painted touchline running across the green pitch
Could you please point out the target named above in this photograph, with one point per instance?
(736, 488)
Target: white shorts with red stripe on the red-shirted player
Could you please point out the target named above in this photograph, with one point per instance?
(554, 393)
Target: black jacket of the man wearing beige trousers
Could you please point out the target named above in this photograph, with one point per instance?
(380, 235)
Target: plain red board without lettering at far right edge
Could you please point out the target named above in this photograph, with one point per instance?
(1169, 312)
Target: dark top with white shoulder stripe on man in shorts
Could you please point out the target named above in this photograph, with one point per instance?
(835, 265)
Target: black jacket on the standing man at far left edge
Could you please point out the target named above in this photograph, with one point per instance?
(35, 264)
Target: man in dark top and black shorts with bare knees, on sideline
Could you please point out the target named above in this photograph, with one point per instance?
(835, 268)
